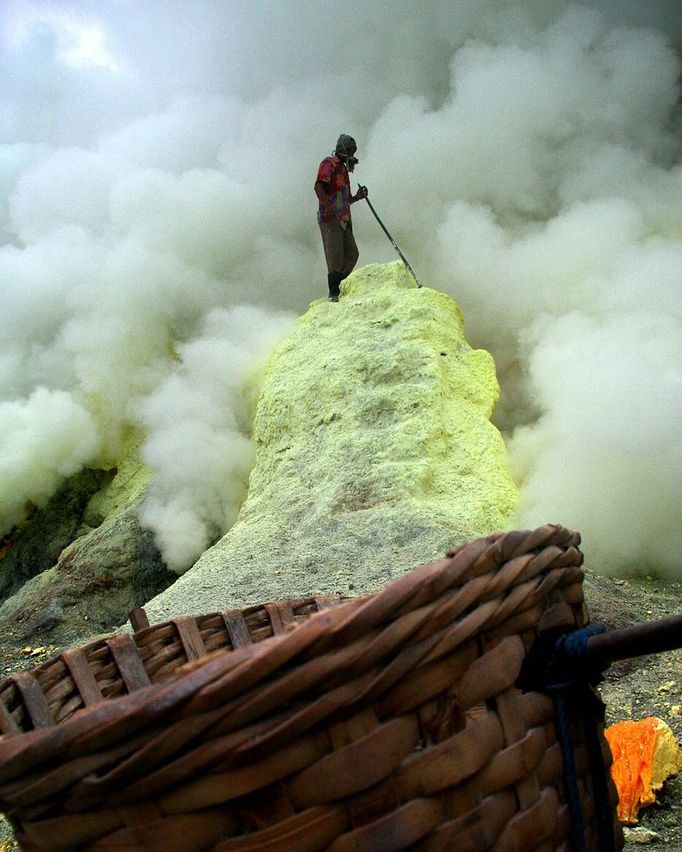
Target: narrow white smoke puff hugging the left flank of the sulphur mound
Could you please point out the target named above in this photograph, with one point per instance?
(198, 421)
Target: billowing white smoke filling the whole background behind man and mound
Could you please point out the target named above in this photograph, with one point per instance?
(158, 228)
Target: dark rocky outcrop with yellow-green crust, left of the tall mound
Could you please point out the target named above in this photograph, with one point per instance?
(95, 575)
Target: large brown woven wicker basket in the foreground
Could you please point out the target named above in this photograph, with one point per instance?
(389, 722)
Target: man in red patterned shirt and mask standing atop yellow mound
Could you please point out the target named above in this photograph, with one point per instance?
(332, 188)
